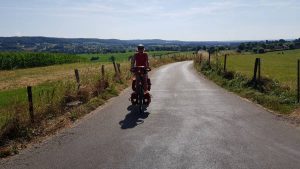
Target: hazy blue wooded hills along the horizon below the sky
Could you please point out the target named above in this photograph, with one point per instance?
(86, 45)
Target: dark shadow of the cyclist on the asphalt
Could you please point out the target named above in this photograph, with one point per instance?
(133, 118)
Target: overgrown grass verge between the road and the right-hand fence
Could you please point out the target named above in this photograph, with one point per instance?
(266, 92)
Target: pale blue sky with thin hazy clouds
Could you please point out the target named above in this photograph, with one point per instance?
(189, 20)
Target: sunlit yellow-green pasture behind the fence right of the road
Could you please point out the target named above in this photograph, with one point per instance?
(274, 65)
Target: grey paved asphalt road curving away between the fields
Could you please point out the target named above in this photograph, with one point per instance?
(191, 123)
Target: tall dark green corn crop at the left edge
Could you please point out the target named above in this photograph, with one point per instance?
(14, 60)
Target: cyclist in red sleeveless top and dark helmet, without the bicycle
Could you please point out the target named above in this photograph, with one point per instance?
(140, 58)
